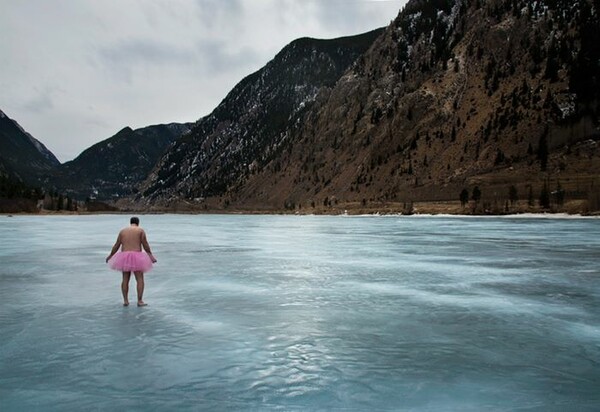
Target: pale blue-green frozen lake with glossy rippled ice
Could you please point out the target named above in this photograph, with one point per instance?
(303, 313)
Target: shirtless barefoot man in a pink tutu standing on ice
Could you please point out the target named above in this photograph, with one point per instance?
(131, 240)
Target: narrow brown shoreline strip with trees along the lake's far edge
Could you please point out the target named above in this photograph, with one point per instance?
(484, 207)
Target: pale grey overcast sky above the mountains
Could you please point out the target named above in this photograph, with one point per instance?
(75, 72)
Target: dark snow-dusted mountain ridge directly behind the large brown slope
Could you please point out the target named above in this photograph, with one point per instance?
(251, 125)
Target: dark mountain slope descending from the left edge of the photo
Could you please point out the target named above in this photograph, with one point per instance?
(22, 157)
